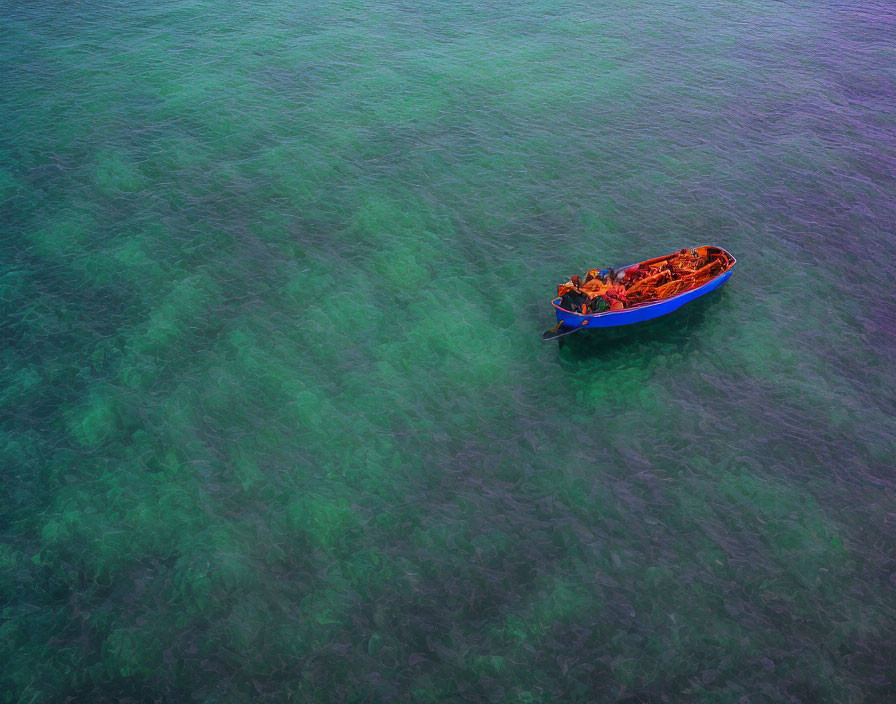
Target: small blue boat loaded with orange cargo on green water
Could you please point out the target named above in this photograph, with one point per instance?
(680, 285)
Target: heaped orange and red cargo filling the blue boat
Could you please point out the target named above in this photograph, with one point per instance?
(650, 281)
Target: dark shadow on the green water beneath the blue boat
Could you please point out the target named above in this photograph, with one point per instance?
(676, 329)
